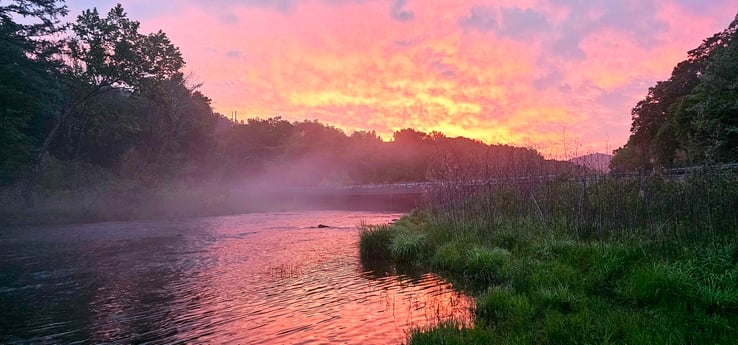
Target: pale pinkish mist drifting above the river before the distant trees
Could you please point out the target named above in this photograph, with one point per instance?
(310, 183)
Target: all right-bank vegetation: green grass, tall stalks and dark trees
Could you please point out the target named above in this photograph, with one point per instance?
(641, 259)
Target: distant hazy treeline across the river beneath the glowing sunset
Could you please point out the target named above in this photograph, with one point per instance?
(311, 153)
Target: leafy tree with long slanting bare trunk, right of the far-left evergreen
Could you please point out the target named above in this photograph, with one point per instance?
(107, 54)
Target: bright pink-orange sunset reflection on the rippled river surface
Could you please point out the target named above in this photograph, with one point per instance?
(292, 285)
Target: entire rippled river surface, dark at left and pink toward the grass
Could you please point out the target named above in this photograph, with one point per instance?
(268, 278)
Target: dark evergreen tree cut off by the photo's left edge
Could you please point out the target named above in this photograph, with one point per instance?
(27, 91)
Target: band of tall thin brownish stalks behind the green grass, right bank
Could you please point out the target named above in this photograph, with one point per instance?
(655, 206)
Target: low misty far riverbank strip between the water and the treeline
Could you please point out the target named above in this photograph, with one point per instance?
(130, 200)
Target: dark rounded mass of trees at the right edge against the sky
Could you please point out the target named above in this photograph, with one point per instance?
(691, 118)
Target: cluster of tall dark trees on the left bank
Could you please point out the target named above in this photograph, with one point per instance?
(90, 92)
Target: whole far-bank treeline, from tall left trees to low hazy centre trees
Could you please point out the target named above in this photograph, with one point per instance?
(95, 104)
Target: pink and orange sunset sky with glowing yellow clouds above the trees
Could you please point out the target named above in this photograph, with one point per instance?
(560, 76)
